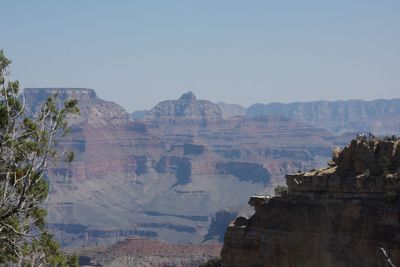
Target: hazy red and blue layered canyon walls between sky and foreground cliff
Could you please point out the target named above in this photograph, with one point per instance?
(182, 170)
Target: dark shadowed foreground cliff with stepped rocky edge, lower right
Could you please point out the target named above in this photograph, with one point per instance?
(344, 215)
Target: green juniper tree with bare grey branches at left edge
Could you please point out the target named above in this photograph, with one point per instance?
(26, 146)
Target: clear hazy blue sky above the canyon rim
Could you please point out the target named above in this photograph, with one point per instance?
(137, 53)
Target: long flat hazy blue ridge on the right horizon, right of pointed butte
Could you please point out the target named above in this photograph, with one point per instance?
(379, 116)
